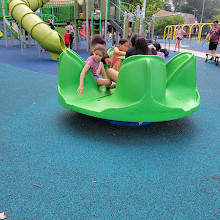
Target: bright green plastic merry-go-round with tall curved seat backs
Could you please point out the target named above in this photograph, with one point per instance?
(148, 90)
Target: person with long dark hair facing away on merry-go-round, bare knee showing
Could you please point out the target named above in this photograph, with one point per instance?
(141, 48)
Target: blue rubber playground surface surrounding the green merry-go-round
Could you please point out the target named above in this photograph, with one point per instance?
(59, 164)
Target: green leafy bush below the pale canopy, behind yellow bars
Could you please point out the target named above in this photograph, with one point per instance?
(172, 20)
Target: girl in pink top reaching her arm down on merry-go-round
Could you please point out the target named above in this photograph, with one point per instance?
(94, 64)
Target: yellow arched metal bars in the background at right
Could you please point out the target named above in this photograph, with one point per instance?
(169, 30)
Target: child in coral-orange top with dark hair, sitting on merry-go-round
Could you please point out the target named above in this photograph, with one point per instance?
(119, 51)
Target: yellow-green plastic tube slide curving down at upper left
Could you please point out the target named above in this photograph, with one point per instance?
(50, 40)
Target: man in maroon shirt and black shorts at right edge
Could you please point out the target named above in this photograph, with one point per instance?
(214, 35)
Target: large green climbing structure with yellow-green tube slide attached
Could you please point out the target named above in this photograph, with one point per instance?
(19, 17)
